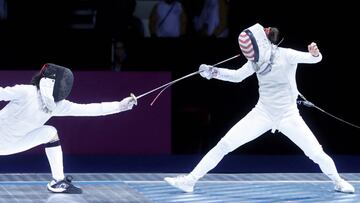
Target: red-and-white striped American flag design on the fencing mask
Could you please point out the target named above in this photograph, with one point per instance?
(248, 45)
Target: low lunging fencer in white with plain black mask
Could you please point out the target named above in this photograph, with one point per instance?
(30, 106)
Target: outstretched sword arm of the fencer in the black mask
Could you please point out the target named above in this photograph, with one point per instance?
(68, 108)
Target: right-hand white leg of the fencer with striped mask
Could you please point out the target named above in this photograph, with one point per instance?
(298, 132)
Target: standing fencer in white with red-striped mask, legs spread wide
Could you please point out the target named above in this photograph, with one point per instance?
(276, 109)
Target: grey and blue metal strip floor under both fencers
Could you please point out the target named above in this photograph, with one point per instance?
(150, 187)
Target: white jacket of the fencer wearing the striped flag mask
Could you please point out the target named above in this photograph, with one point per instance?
(277, 88)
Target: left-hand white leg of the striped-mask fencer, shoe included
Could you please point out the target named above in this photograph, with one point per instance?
(250, 127)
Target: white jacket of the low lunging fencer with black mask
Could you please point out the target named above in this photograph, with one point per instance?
(24, 112)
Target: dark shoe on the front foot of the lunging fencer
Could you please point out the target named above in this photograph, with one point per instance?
(63, 186)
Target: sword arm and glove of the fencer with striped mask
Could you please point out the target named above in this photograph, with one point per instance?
(208, 72)
